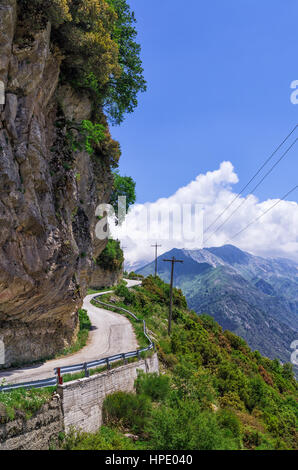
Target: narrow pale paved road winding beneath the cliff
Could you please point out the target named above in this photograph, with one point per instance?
(111, 334)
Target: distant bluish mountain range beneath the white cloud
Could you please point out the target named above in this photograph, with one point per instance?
(254, 297)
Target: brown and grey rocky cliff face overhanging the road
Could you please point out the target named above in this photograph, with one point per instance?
(48, 196)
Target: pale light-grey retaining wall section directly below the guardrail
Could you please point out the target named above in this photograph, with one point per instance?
(82, 399)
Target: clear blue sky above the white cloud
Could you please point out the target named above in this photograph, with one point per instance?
(219, 76)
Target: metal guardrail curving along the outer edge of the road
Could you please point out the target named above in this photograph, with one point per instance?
(86, 366)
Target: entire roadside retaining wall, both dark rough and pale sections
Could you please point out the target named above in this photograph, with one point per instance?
(78, 404)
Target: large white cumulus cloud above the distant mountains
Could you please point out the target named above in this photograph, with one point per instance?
(179, 221)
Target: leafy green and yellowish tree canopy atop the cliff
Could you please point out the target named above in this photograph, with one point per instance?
(97, 38)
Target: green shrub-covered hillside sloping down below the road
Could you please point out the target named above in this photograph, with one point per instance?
(215, 393)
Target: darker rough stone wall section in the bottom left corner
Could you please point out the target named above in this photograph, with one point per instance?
(37, 433)
